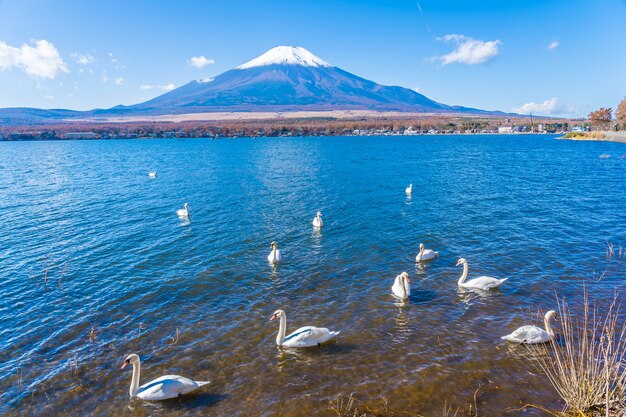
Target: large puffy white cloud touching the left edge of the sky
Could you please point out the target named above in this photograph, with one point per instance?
(42, 60)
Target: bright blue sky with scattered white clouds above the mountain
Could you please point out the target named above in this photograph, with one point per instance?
(548, 57)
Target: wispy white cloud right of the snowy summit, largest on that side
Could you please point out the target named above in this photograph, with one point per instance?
(468, 51)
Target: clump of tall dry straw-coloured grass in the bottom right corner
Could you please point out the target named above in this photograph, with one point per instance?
(586, 365)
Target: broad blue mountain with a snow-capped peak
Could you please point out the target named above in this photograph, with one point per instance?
(283, 79)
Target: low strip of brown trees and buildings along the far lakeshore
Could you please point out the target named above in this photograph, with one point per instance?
(316, 126)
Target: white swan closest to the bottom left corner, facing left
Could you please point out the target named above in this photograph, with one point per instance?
(163, 388)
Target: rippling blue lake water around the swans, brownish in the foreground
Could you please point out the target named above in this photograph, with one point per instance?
(95, 264)
